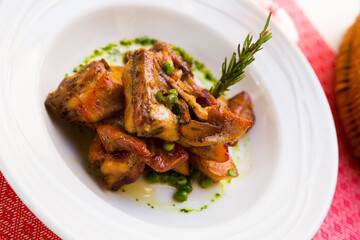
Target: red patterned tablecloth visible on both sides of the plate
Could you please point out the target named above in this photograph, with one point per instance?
(343, 219)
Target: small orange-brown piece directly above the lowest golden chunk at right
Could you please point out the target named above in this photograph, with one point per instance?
(218, 153)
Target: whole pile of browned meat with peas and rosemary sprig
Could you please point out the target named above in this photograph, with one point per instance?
(151, 116)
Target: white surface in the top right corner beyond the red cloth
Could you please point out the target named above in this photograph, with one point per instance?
(331, 17)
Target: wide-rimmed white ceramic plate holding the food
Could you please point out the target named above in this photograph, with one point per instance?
(293, 144)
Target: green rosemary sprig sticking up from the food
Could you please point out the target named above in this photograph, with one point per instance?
(234, 72)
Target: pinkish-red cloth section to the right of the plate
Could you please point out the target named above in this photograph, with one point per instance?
(343, 218)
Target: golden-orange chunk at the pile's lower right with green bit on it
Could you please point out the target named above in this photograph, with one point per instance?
(215, 170)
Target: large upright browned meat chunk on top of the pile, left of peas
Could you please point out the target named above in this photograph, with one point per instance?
(144, 115)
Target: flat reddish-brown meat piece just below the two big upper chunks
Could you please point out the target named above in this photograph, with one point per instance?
(116, 139)
